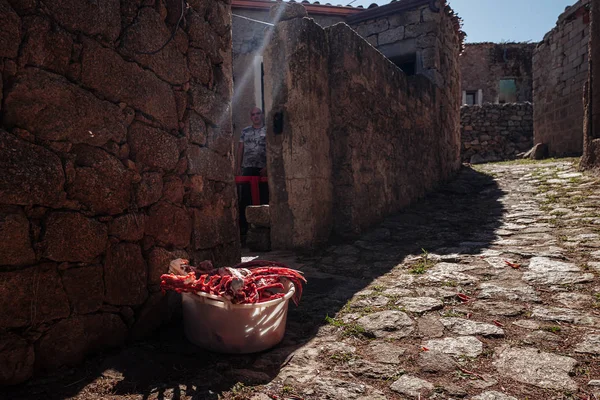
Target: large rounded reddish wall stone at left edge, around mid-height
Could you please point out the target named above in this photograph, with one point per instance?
(34, 174)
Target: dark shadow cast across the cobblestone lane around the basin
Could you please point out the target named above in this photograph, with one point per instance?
(459, 217)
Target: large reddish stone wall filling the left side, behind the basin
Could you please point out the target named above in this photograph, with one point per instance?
(112, 163)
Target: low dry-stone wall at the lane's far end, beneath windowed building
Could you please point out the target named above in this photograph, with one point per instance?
(495, 132)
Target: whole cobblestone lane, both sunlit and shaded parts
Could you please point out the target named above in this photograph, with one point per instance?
(488, 289)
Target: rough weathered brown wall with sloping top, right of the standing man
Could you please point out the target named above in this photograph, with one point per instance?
(376, 140)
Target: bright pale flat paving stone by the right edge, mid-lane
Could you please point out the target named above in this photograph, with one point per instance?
(546, 271)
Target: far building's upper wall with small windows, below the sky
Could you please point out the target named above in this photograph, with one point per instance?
(483, 65)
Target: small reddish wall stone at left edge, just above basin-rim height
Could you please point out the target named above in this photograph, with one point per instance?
(15, 246)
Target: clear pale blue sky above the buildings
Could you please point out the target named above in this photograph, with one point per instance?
(506, 20)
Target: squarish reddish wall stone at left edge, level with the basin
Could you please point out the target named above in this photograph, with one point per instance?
(32, 296)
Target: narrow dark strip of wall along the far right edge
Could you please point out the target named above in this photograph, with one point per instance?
(591, 149)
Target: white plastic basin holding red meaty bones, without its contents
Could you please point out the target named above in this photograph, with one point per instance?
(220, 326)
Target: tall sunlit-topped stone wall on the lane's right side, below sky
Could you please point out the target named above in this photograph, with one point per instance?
(560, 65)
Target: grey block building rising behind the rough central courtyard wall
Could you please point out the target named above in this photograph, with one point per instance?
(401, 30)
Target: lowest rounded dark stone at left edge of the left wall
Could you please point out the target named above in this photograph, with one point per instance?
(16, 359)
